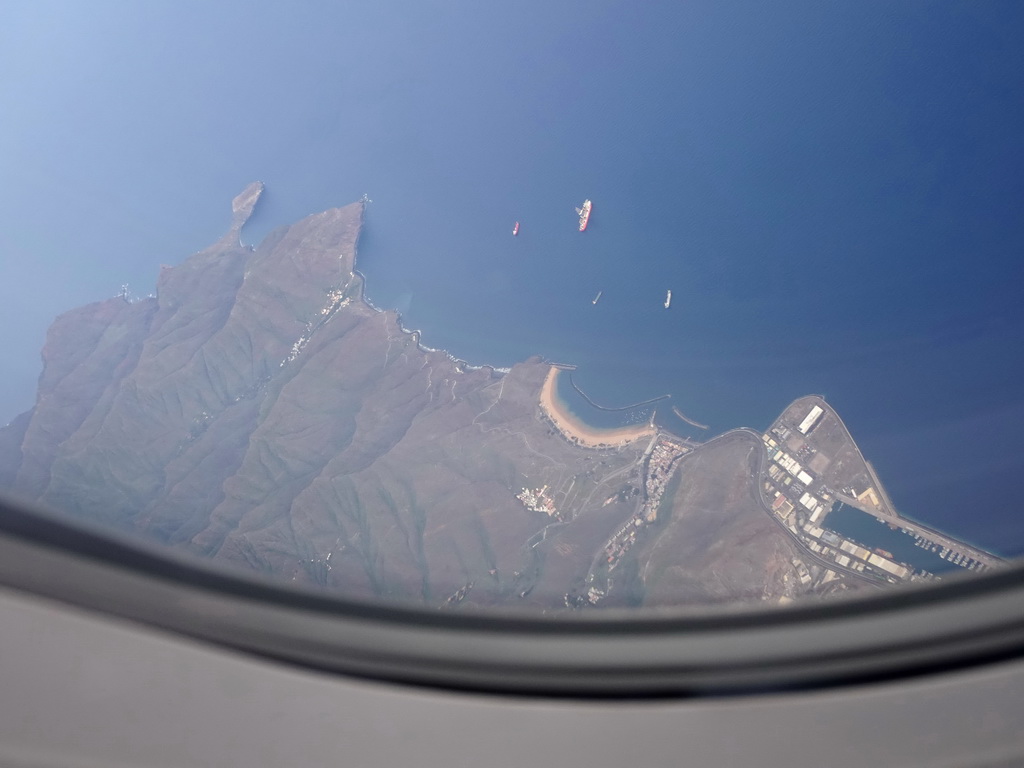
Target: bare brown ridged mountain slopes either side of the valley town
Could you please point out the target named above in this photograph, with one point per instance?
(259, 412)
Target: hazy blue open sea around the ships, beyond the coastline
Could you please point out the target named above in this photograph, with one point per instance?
(833, 192)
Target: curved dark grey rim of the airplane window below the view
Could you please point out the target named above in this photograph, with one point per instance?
(902, 633)
